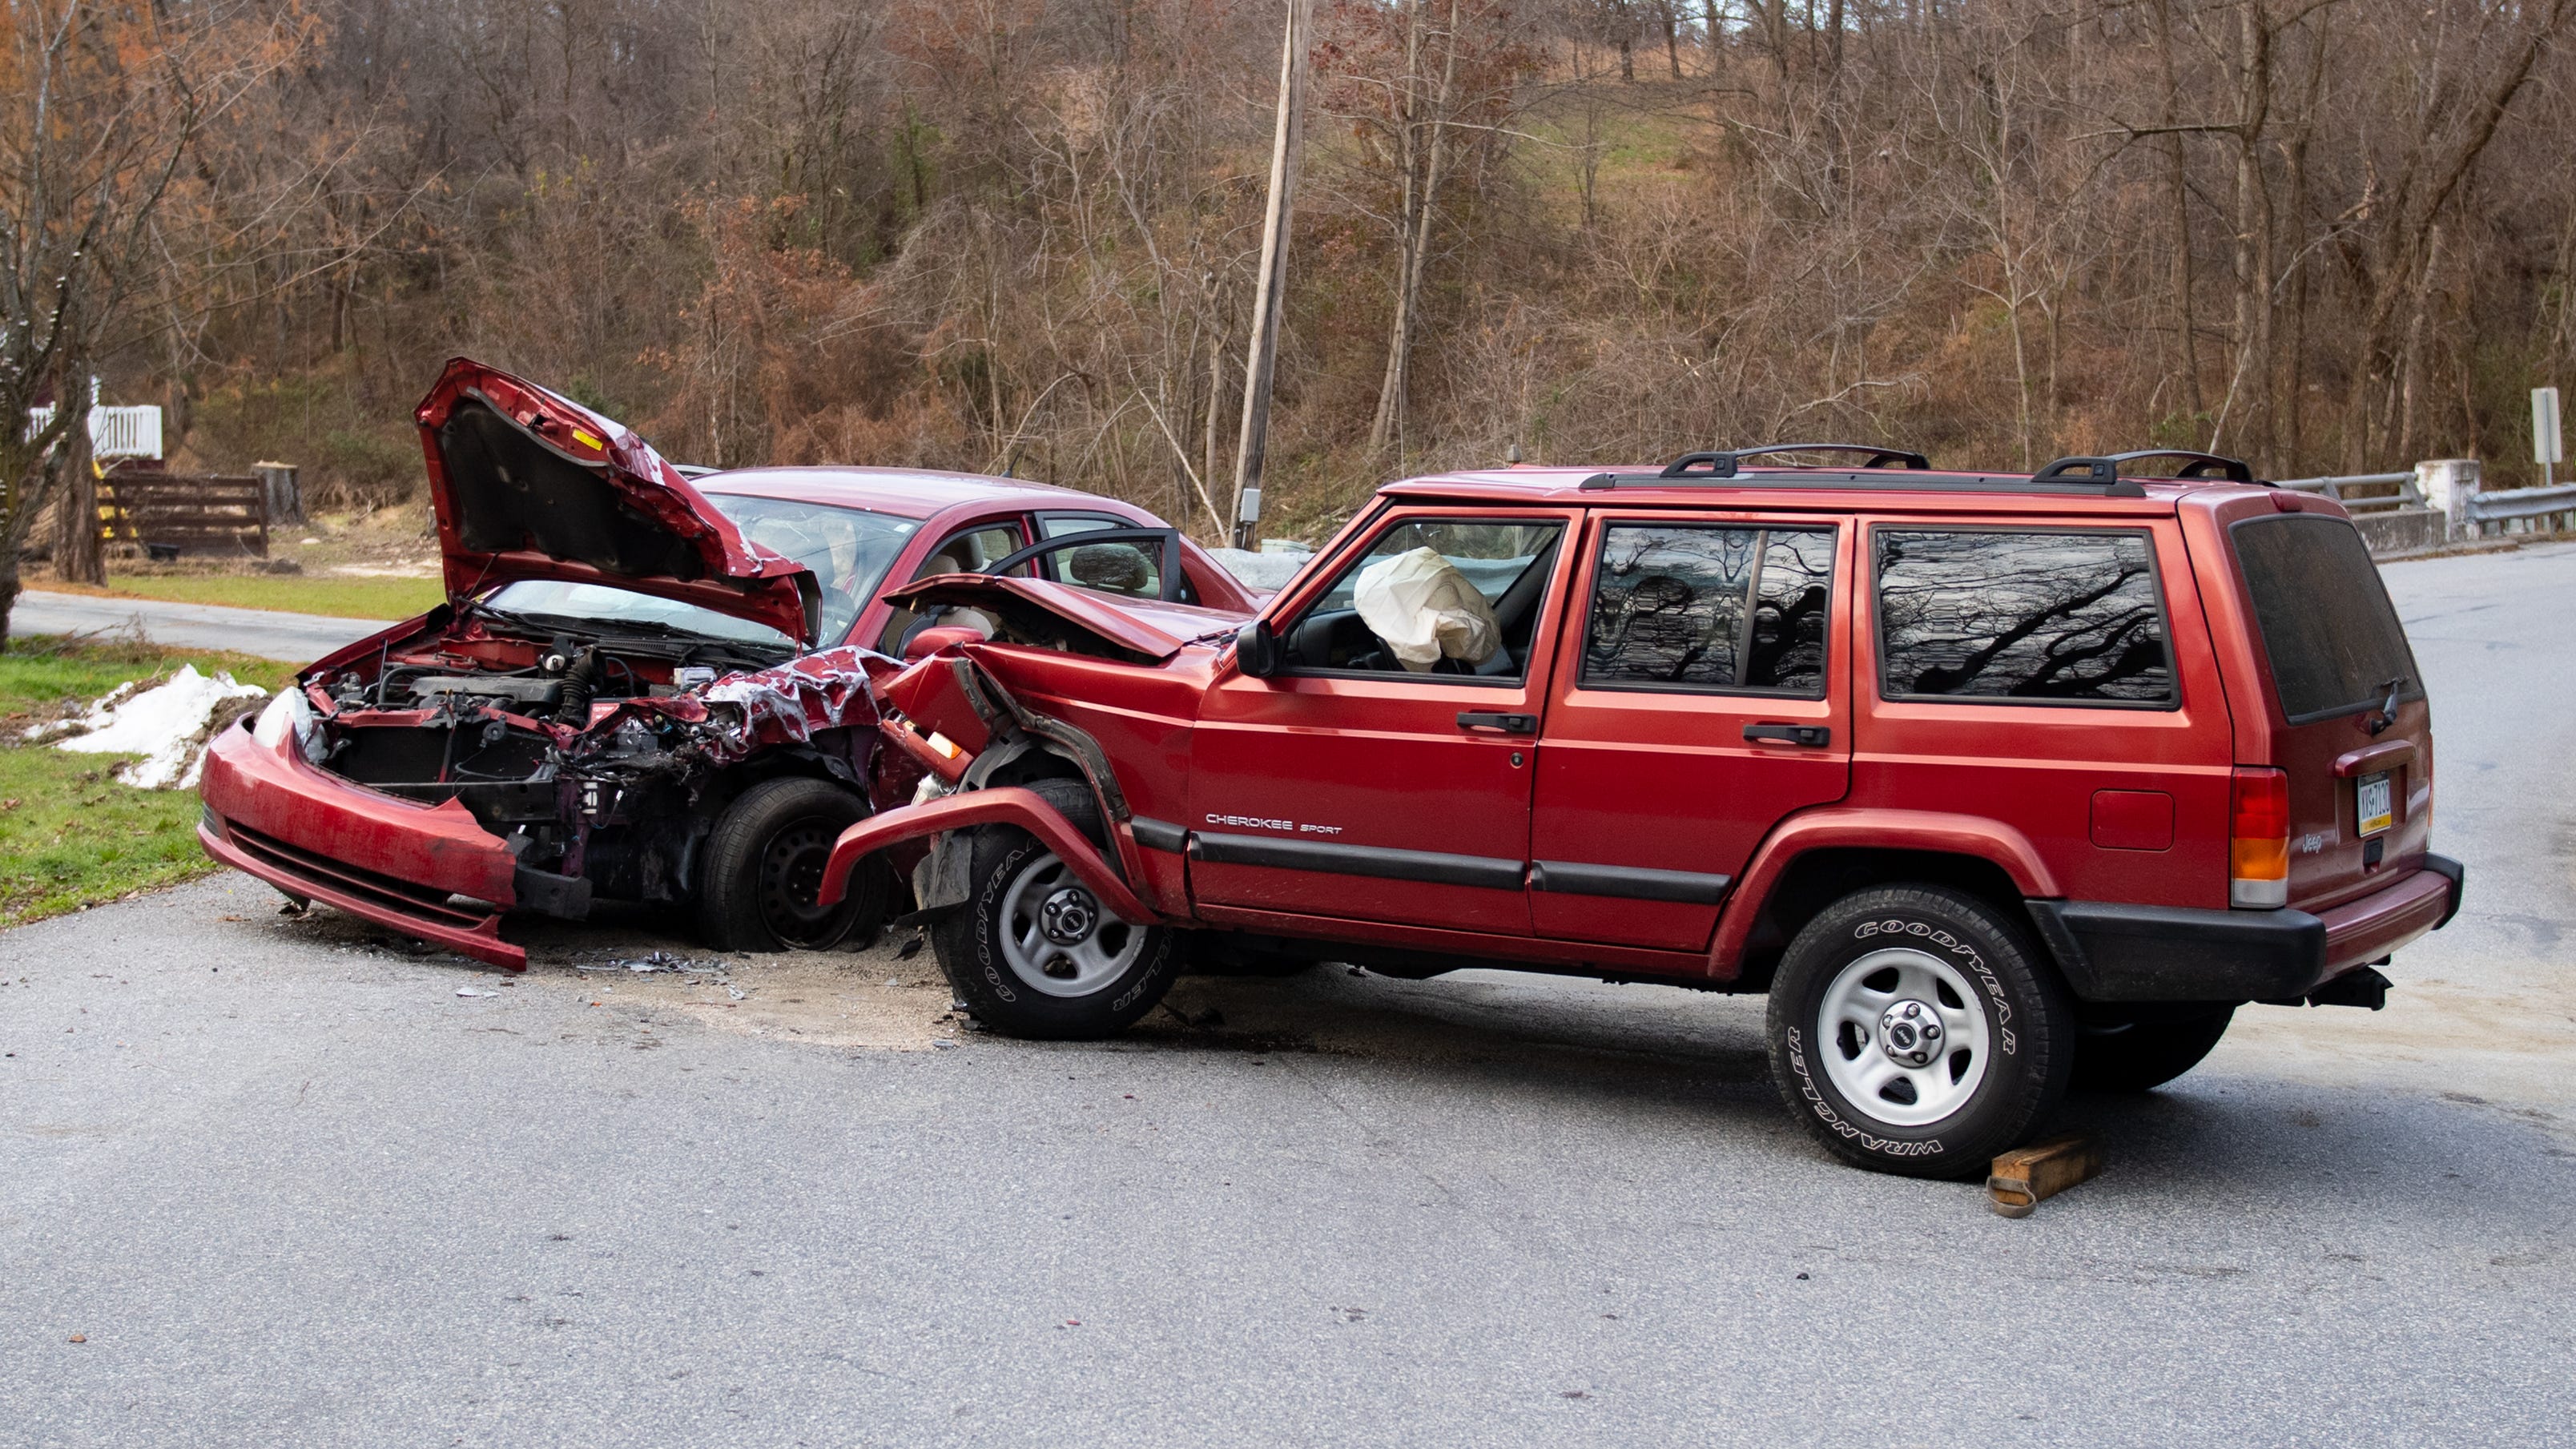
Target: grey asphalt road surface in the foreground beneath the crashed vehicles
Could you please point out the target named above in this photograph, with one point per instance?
(290, 1187)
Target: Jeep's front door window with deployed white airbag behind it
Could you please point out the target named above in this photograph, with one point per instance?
(1503, 561)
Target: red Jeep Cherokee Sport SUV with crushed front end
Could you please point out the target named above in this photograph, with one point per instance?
(1993, 783)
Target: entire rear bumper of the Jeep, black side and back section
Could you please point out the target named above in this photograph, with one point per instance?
(2160, 953)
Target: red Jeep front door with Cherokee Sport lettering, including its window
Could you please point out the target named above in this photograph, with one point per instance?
(1385, 770)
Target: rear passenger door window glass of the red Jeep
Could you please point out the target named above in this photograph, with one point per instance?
(1712, 610)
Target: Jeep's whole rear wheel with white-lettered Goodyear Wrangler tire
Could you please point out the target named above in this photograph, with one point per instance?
(1915, 1030)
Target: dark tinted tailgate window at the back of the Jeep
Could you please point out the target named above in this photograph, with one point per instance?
(2327, 625)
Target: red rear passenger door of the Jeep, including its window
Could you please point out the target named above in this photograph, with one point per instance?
(1701, 695)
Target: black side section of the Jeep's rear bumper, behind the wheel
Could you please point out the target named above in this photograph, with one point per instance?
(2168, 953)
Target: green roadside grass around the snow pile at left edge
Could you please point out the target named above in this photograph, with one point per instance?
(71, 837)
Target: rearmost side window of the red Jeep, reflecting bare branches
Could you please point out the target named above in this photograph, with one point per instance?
(2047, 618)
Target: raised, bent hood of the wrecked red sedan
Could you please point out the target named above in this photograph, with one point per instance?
(537, 486)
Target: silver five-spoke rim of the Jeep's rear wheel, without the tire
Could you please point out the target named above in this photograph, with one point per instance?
(1905, 1038)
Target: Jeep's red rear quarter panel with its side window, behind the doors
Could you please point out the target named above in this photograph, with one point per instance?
(2054, 679)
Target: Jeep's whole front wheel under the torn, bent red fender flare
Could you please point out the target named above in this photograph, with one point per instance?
(1034, 953)
